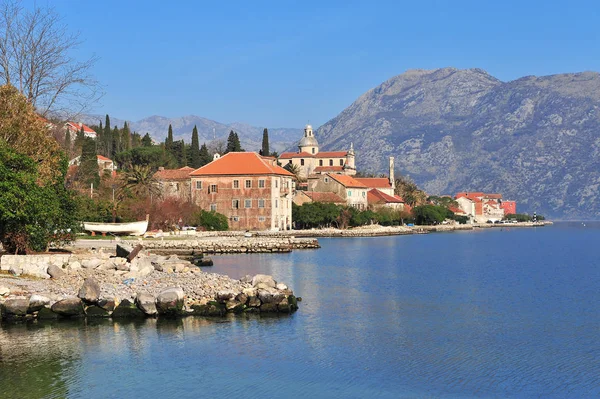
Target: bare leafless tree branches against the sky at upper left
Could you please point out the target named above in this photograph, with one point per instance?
(36, 57)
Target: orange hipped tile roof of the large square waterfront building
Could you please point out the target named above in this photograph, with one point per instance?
(240, 163)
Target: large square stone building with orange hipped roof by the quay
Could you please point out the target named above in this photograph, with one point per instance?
(253, 192)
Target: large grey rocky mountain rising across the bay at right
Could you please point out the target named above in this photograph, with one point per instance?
(534, 139)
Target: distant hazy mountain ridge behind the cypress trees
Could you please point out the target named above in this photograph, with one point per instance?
(250, 136)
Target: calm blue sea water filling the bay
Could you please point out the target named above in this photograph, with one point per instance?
(486, 314)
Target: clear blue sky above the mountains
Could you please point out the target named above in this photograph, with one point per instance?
(283, 63)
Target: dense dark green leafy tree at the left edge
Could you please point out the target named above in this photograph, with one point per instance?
(32, 216)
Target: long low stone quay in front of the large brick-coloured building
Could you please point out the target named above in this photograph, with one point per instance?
(230, 244)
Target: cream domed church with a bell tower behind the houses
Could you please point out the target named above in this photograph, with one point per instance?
(310, 160)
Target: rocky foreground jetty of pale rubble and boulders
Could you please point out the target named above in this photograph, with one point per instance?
(97, 285)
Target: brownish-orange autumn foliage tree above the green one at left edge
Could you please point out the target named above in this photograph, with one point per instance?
(23, 131)
